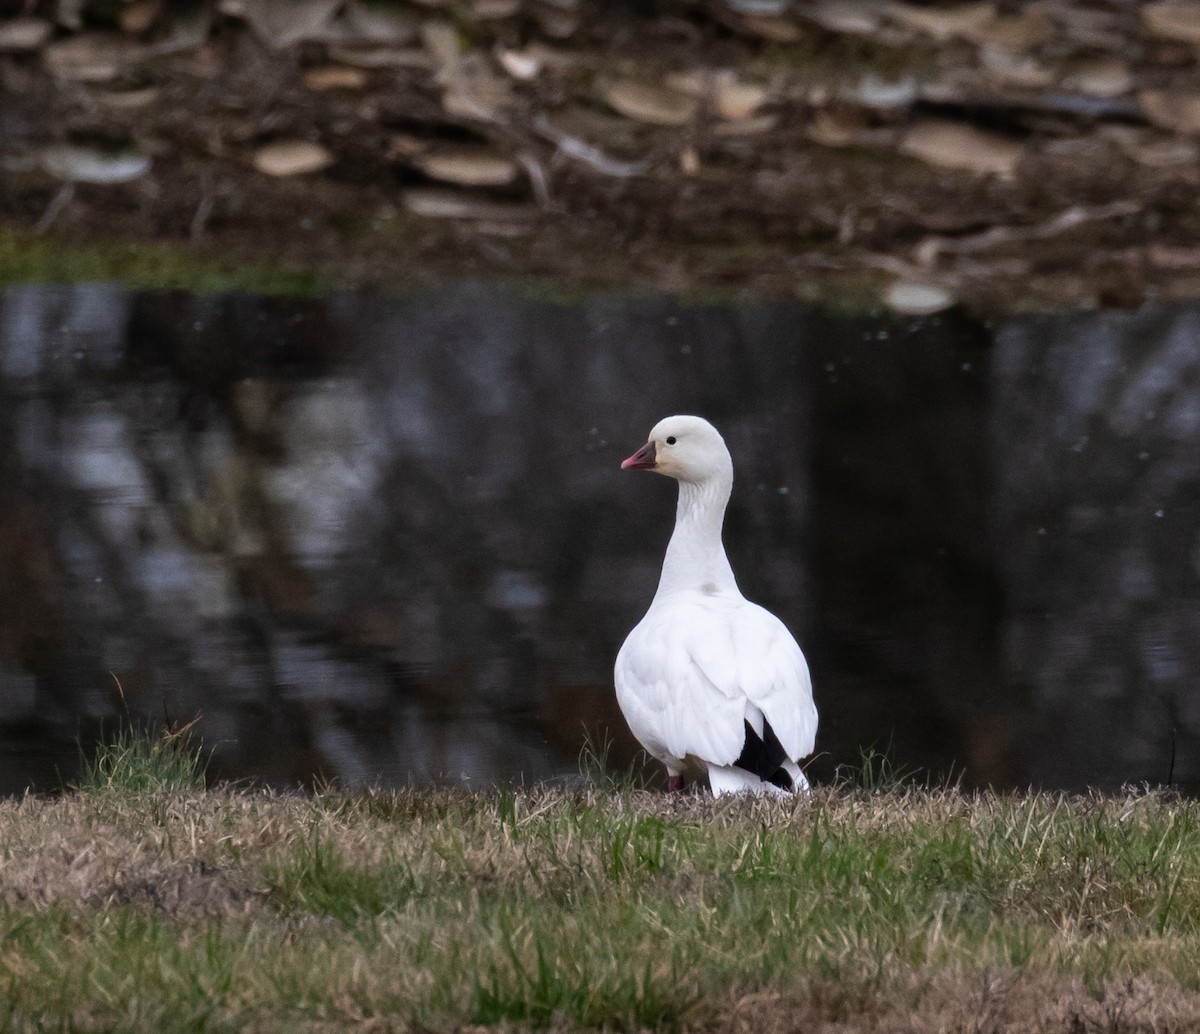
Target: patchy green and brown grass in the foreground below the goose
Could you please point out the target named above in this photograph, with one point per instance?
(172, 909)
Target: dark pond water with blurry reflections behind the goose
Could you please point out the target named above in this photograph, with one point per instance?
(386, 539)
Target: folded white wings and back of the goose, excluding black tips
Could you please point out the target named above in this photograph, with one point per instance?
(698, 666)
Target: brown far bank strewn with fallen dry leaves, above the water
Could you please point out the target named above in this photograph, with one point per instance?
(1004, 155)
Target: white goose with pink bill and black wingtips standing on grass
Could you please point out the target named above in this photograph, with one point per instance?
(709, 682)
